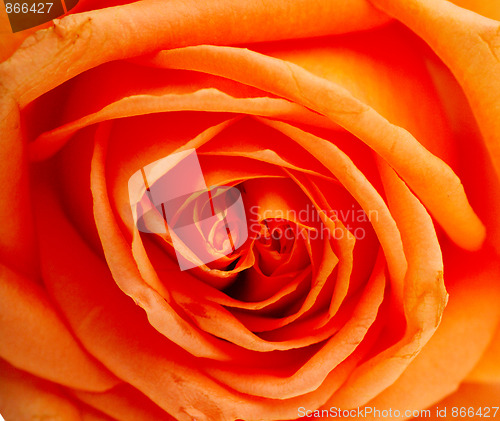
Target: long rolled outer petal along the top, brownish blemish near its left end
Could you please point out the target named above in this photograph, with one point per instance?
(53, 56)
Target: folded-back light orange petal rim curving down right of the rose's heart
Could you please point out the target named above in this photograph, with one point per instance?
(424, 297)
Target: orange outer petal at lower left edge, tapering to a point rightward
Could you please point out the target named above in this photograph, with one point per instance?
(34, 338)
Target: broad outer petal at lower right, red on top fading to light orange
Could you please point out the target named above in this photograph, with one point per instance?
(468, 324)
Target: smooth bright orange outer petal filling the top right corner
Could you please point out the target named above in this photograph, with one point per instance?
(469, 44)
